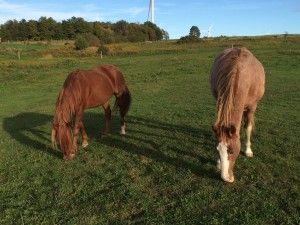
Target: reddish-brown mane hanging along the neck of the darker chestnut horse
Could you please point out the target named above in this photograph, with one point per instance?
(68, 99)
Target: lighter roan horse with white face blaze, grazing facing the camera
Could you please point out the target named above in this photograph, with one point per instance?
(237, 81)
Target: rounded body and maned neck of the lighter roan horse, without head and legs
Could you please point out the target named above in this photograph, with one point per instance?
(236, 80)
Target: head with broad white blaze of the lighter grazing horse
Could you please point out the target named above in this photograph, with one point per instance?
(228, 145)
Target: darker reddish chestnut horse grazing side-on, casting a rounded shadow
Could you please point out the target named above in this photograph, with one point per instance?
(87, 89)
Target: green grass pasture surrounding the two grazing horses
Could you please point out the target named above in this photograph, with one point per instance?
(163, 171)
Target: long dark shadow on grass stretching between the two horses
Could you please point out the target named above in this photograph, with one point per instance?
(140, 139)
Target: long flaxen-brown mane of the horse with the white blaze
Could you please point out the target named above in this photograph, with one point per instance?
(226, 79)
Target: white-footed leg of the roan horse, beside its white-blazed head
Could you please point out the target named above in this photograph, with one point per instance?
(249, 123)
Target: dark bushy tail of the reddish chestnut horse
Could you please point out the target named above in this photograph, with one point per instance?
(123, 101)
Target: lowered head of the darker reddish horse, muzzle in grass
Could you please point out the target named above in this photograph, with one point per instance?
(62, 134)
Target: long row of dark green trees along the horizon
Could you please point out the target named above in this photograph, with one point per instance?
(107, 32)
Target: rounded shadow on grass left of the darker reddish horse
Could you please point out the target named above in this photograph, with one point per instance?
(28, 129)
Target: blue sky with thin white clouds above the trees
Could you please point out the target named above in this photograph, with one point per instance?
(225, 17)
